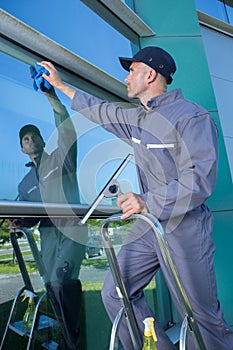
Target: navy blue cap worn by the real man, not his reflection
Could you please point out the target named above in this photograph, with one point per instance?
(154, 57)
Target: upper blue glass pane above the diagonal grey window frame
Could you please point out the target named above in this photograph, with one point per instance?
(73, 25)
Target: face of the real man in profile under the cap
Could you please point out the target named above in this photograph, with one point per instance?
(137, 80)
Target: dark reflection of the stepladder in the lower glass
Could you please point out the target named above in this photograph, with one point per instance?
(41, 323)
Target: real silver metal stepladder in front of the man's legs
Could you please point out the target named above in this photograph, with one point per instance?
(188, 324)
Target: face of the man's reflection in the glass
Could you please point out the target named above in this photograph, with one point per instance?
(32, 144)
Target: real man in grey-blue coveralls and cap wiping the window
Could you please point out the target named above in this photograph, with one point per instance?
(175, 146)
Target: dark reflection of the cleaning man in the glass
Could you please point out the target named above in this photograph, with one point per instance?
(52, 178)
